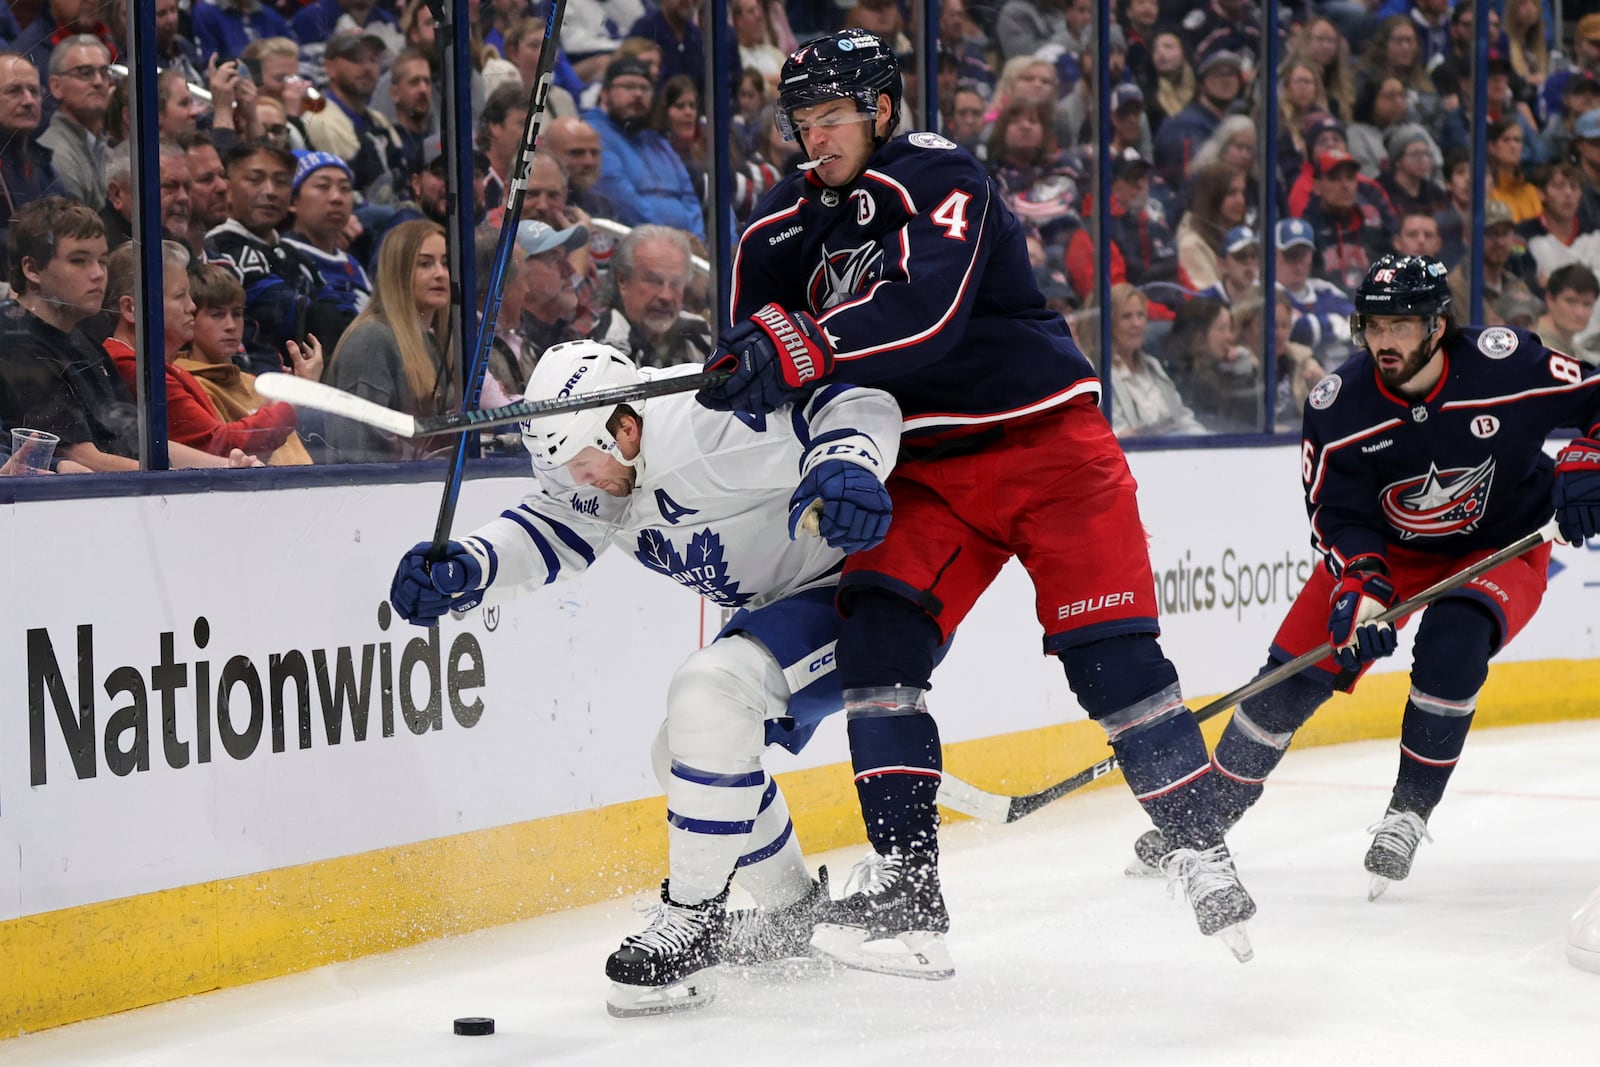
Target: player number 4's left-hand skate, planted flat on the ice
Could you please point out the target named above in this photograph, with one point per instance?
(890, 921)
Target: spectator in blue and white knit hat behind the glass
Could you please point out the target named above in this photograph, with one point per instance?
(326, 228)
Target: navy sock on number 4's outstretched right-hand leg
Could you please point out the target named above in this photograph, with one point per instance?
(1130, 689)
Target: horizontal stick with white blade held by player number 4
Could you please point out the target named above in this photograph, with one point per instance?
(310, 394)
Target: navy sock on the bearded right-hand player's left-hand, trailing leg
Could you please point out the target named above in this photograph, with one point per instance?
(1258, 737)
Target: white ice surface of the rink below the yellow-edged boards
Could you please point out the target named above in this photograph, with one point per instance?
(1060, 957)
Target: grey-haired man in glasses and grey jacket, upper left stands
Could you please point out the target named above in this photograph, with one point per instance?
(81, 82)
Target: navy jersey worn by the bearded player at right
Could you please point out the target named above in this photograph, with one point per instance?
(1460, 471)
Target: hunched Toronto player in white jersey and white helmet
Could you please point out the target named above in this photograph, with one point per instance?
(711, 503)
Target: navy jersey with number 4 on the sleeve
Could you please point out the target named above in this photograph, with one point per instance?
(919, 274)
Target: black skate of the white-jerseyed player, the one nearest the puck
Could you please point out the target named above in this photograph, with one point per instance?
(670, 967)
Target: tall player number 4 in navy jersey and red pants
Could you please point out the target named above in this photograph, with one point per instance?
(892, 262)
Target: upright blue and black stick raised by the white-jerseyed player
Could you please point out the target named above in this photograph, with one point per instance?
(492, 292)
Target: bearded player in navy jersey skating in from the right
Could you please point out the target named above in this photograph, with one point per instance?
(1423, 455)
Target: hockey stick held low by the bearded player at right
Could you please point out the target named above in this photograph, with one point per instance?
(959, 796)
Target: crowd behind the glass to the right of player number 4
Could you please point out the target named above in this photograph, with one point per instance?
(1374, 105)
